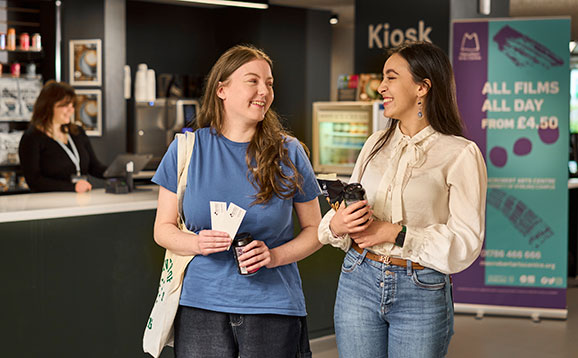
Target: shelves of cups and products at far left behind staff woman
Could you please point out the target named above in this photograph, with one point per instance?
(27, 58)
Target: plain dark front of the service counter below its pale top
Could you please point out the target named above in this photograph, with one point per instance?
(84, 286)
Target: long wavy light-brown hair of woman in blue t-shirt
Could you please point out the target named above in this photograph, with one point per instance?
(266, 151)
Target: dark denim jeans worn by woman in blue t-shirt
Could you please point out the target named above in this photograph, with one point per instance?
(205, 334)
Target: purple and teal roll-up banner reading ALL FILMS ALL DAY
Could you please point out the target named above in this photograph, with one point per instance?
(512, 78)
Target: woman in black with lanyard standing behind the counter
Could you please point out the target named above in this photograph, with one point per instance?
(56, 154)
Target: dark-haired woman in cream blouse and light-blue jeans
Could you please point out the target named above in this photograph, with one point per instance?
(423, 219)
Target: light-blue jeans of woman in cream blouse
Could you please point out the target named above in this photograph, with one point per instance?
(384, 311)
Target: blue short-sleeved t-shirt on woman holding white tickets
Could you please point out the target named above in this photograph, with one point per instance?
(218, 172)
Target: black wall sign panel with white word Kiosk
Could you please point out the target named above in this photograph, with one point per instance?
(381, 24)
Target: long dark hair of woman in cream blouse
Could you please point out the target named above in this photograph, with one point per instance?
(427, 61)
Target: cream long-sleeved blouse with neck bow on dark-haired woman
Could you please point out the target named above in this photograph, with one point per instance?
(432, 183)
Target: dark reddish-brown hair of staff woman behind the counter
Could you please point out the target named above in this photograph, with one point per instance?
(52, 93)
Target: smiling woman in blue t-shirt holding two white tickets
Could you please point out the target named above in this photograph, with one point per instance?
(242, 156)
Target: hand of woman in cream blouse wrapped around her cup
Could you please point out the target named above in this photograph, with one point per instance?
(352, 219)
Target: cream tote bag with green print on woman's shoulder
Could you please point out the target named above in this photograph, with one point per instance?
(159, 330)
